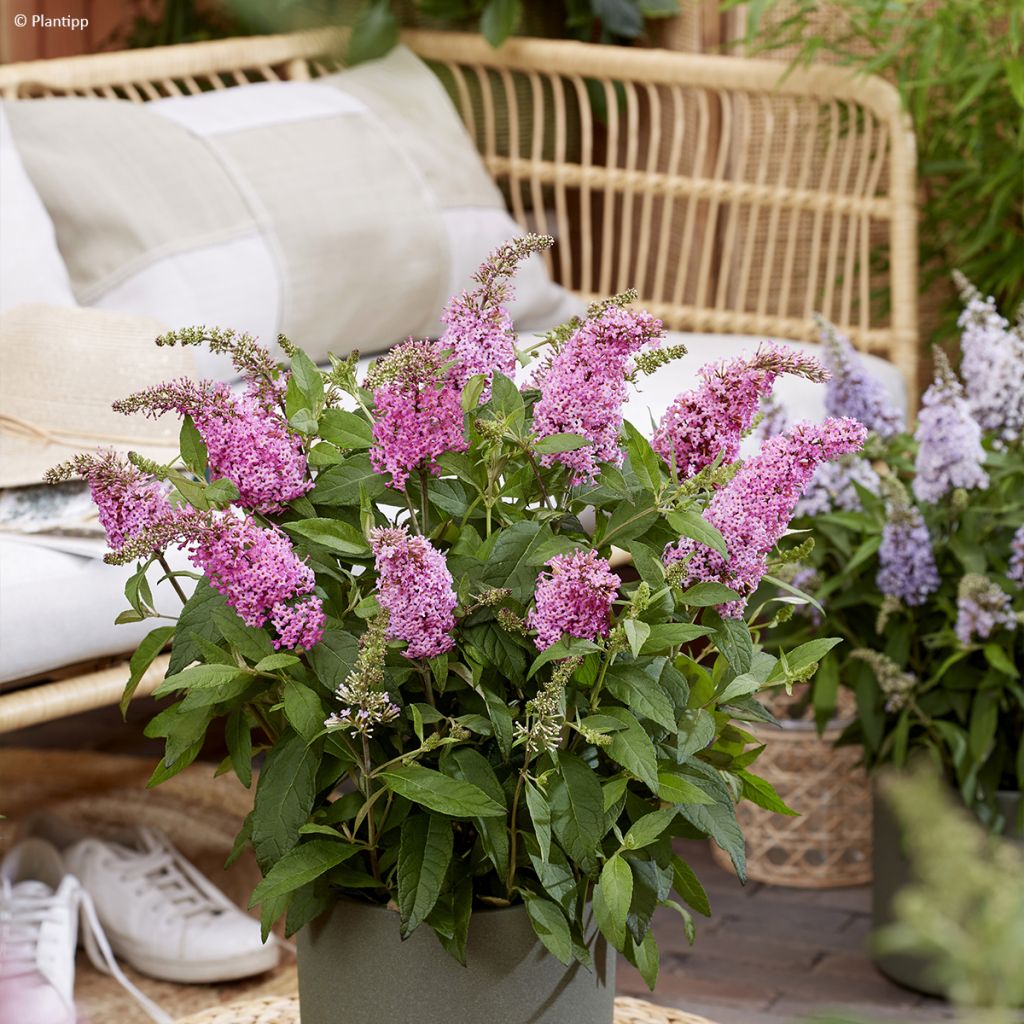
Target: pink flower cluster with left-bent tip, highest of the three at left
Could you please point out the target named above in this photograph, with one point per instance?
(247, 440)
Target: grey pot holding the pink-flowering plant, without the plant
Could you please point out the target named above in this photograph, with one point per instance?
(354, 969)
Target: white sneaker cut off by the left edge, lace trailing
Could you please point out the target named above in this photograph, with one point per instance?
(40, 907)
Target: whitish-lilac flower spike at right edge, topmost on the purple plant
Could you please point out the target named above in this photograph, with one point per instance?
(992, 364)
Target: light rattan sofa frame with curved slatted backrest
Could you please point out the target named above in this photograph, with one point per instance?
(735, 200)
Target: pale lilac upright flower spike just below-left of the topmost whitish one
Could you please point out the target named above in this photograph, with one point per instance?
(950, 451)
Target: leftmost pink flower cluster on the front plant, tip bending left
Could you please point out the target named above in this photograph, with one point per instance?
(127, 501)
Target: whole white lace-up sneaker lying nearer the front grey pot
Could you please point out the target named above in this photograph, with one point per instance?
(165, 918)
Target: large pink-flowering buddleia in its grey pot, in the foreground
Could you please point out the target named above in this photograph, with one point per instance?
(468, 719)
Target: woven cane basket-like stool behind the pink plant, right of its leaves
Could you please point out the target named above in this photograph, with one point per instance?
(830, 844)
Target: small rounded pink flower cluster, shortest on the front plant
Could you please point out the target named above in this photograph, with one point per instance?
(576, 598)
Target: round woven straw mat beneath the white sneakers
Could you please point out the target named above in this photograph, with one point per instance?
(200, 814)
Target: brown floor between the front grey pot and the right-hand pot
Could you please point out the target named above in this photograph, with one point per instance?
(775, 956)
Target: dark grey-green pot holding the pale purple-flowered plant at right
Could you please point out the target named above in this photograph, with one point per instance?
(892, 873)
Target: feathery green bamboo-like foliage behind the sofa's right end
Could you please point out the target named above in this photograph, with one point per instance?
(960, 68)
